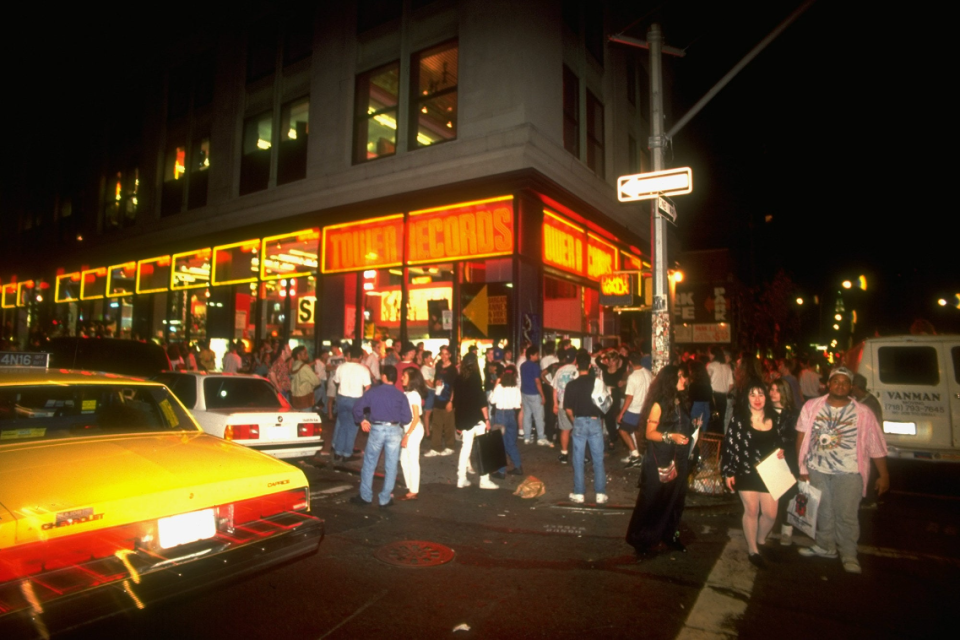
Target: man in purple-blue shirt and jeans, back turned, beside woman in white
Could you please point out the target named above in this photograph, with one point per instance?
(382, 412)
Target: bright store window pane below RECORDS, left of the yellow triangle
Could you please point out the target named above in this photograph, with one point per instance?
(430, 308)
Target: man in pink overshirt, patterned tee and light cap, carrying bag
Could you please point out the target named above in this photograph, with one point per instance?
(838, 437)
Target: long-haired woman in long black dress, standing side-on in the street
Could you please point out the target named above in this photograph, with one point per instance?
(656, 517)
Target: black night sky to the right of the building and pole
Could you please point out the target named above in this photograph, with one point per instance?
(837, 130)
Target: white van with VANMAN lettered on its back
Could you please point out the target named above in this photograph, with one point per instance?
(917, 380)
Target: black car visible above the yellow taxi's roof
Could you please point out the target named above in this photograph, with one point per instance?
(112, 355)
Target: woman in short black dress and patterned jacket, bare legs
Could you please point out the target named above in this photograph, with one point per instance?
(754, 433)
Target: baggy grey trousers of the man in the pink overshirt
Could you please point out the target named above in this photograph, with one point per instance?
(838, 523)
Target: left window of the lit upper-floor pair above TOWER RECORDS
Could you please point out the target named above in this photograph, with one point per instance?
(375, 134)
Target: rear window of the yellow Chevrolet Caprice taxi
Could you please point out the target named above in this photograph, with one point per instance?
(47, 412)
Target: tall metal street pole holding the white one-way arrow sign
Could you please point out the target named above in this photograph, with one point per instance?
(660, 319)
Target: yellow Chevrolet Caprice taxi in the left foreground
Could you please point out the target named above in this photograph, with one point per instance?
(112, 497)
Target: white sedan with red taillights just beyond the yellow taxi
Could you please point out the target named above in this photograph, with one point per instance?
(247, 410)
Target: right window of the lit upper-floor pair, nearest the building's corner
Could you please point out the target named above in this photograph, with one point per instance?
(433, 79)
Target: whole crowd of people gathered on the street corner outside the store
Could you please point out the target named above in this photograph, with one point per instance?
(405, 398)
